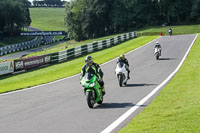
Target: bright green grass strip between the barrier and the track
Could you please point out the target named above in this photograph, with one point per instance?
(66, 69)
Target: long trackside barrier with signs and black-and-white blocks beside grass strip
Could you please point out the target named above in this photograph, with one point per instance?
(69, 54)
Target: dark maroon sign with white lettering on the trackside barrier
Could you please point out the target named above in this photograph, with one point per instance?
(29, 63)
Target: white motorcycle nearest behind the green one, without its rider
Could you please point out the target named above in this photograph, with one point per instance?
(121, 73)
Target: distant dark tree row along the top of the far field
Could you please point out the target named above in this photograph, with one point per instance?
(48, 3)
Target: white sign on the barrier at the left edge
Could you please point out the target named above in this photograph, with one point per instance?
(6, 67)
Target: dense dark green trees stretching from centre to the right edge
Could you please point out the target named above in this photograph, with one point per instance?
(95, 18)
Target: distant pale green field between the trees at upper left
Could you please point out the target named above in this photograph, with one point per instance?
(48, 19)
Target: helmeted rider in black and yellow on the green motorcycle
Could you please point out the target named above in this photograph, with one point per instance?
(94, 68)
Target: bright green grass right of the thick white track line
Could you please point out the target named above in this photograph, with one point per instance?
(177, 108)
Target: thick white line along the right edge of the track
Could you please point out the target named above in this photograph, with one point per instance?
(134, 108)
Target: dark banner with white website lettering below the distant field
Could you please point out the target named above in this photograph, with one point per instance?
(43, 33)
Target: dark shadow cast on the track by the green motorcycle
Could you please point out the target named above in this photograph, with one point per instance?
(116, 105)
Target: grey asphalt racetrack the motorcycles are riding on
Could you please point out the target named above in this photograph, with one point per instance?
(61, 107)
